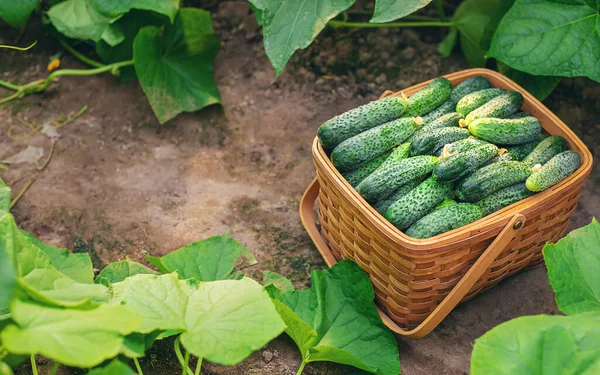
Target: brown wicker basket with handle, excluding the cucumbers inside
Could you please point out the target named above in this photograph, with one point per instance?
(418, 282)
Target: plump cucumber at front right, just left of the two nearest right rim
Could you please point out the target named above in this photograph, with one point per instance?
(492, 178)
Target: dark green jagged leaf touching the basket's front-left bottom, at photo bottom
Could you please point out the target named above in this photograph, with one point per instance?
(336, 320)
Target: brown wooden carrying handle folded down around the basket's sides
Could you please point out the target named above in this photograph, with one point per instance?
(452, 299)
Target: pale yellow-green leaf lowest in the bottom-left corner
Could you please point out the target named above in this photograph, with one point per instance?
(81, 338)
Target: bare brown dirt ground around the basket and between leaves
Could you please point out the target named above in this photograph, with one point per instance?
(119, 184)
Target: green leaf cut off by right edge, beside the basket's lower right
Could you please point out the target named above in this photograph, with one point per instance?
(573, 264)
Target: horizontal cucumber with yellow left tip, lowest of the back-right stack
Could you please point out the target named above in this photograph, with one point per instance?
(506, 131)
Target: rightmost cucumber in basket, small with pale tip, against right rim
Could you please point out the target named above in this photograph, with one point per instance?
(555, 170)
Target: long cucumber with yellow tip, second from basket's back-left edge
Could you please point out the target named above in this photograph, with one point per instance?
(366, 146)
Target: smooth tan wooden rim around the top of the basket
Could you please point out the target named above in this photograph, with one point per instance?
(490, 223)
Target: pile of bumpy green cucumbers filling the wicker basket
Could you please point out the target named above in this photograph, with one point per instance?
(445, 156)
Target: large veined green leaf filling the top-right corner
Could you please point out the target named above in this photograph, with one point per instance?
(551, 38)
